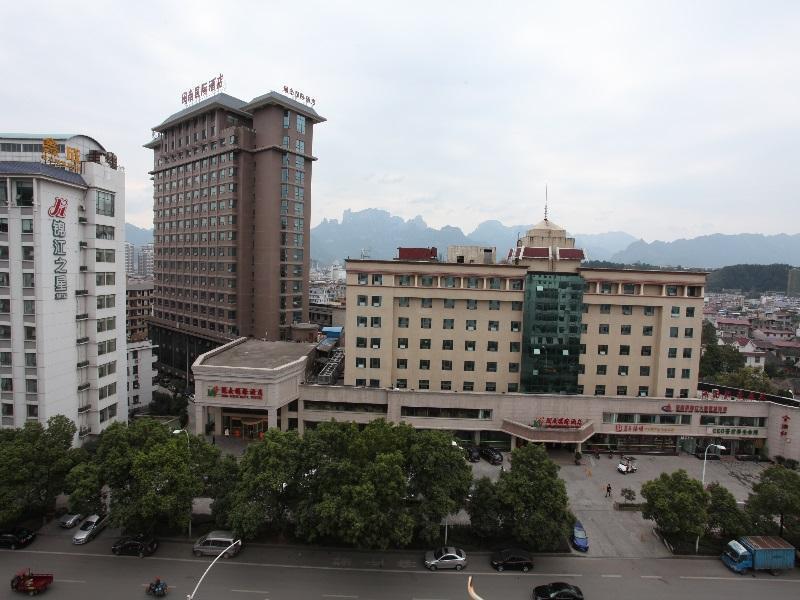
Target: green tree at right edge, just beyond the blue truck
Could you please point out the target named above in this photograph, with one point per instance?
(776, 495)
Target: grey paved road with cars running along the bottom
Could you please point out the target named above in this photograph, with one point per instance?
(298, 573)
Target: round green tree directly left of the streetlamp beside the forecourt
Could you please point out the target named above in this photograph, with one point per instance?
(677, 503)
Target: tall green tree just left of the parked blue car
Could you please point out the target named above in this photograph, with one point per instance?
(534, 500)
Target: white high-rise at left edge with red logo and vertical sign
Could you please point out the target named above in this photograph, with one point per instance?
(62, 281)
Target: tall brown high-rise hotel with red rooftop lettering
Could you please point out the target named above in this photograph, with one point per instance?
(232, 205)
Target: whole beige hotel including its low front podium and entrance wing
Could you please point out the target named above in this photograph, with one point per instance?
(534, 349)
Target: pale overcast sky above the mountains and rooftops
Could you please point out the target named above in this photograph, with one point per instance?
(662, 119)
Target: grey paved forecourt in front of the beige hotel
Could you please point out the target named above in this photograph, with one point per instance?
(625, 534)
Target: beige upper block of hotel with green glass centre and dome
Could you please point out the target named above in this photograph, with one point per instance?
(539, 324)
